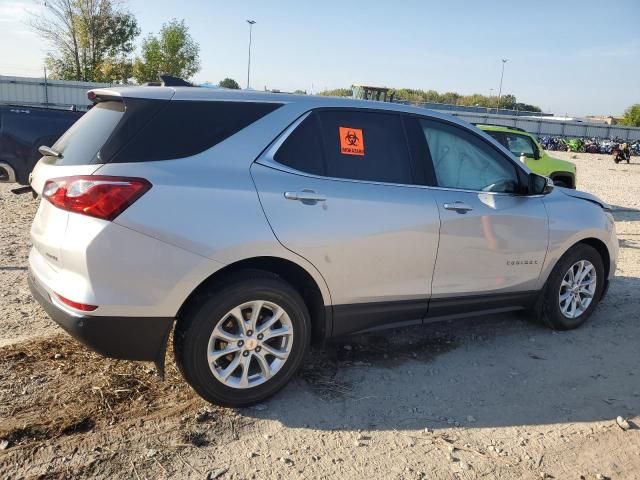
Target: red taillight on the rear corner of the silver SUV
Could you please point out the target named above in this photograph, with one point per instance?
(94, 195)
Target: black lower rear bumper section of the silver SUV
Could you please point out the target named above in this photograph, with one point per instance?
(127, 338)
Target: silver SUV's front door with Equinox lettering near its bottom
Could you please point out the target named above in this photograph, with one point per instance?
(493, 238)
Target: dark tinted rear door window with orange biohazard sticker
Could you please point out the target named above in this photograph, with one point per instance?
(363, 145)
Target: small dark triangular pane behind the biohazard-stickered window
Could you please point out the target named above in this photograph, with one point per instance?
(302, 150)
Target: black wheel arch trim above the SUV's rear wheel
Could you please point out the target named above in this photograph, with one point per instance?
(298, 277)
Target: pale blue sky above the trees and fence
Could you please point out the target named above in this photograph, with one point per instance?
(568, 57)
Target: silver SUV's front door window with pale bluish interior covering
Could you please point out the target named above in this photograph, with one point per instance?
(463, 161)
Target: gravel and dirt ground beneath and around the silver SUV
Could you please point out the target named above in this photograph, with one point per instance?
(491, 397)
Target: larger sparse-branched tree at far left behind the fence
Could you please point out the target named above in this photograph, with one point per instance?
(92, 39)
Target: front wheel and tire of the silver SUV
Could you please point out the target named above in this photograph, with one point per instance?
(573, 289)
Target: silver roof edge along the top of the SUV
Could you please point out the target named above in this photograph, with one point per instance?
(224, 94)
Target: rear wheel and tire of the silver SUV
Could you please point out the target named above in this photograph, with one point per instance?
(243, 342)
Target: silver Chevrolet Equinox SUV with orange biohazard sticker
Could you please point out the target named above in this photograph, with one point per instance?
(258, 222)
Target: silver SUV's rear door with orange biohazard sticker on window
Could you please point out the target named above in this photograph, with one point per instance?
(340, 189)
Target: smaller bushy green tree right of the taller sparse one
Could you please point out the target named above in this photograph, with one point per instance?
(172, 52)
